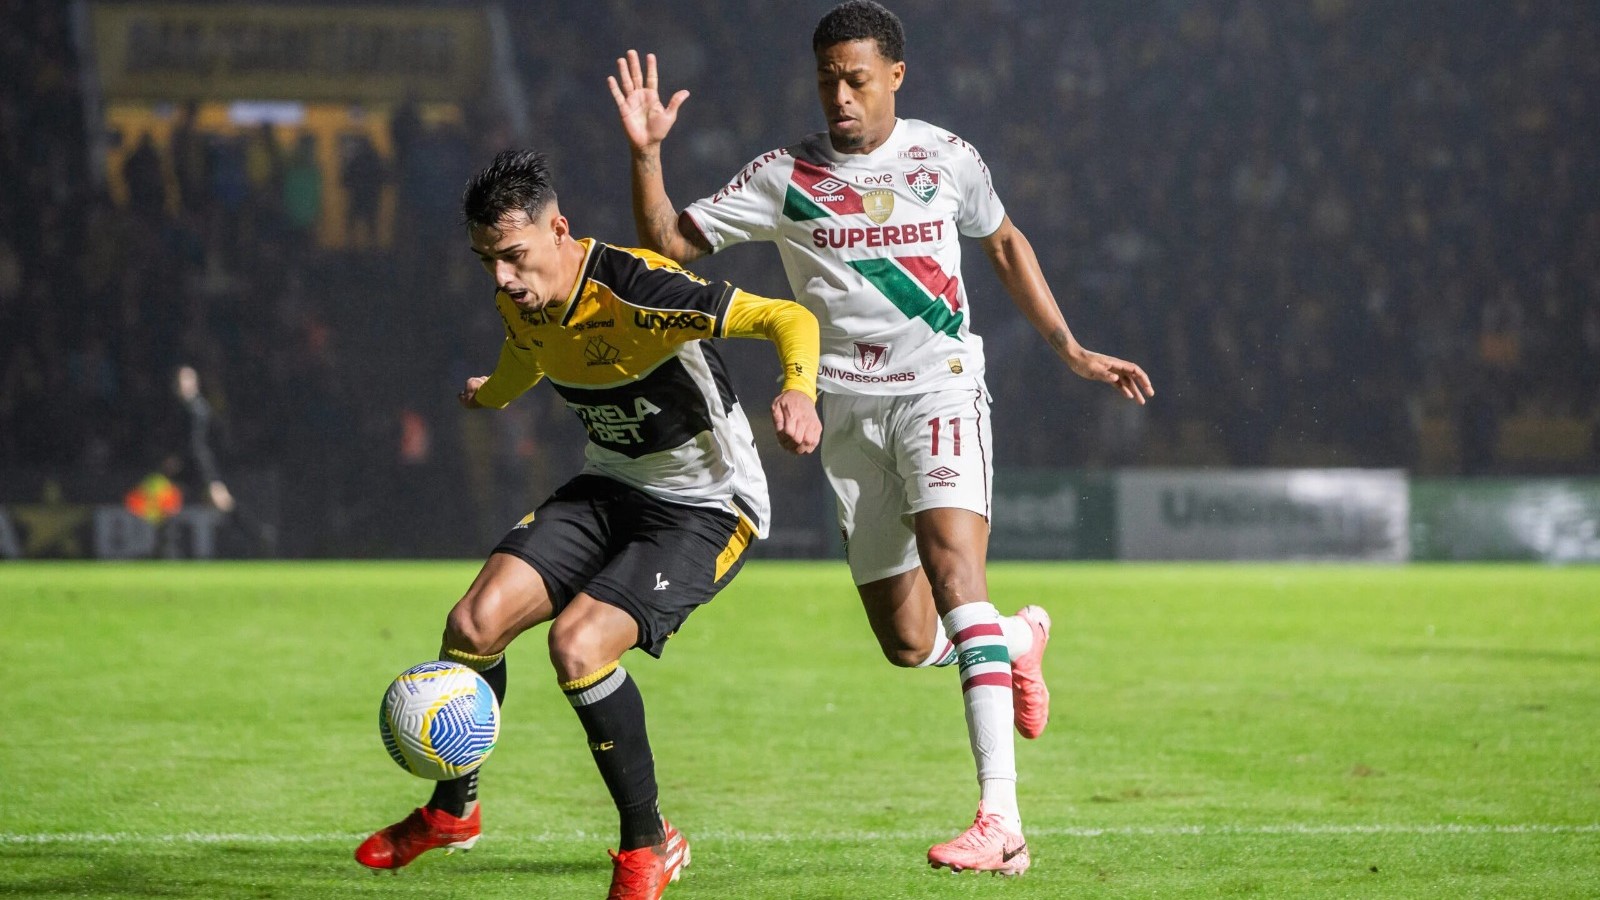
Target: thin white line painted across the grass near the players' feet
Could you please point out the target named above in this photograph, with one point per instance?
(1308, 830)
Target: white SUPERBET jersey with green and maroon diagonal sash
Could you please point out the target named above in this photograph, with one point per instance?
(871, 244)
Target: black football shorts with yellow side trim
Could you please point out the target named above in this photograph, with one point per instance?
(655, 561)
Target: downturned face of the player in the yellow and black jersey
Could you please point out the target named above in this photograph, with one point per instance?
(529, 260)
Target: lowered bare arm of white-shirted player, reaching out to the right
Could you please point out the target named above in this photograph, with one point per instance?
(1018, 268)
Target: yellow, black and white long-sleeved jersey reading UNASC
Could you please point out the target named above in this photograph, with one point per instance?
(630, 353)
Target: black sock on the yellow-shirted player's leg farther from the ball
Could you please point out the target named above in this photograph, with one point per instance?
(614, 717)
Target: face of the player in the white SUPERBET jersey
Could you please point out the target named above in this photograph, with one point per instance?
(857, 86)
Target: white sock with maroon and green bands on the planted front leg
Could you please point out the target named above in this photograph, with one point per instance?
(986, 694)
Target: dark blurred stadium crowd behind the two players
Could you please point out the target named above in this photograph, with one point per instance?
(1334, 233)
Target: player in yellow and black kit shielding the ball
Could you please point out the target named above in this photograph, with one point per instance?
(657, 523)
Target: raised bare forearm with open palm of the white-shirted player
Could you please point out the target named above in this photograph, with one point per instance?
(647, 123)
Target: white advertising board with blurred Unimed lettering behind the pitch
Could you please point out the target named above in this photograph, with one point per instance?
(1313, 515)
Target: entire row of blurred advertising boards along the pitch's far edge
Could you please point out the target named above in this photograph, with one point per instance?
(1260, 515)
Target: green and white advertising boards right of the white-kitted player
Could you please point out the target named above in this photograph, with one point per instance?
(1292, 515)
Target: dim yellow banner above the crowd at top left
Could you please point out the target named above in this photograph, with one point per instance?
(162, 52)
